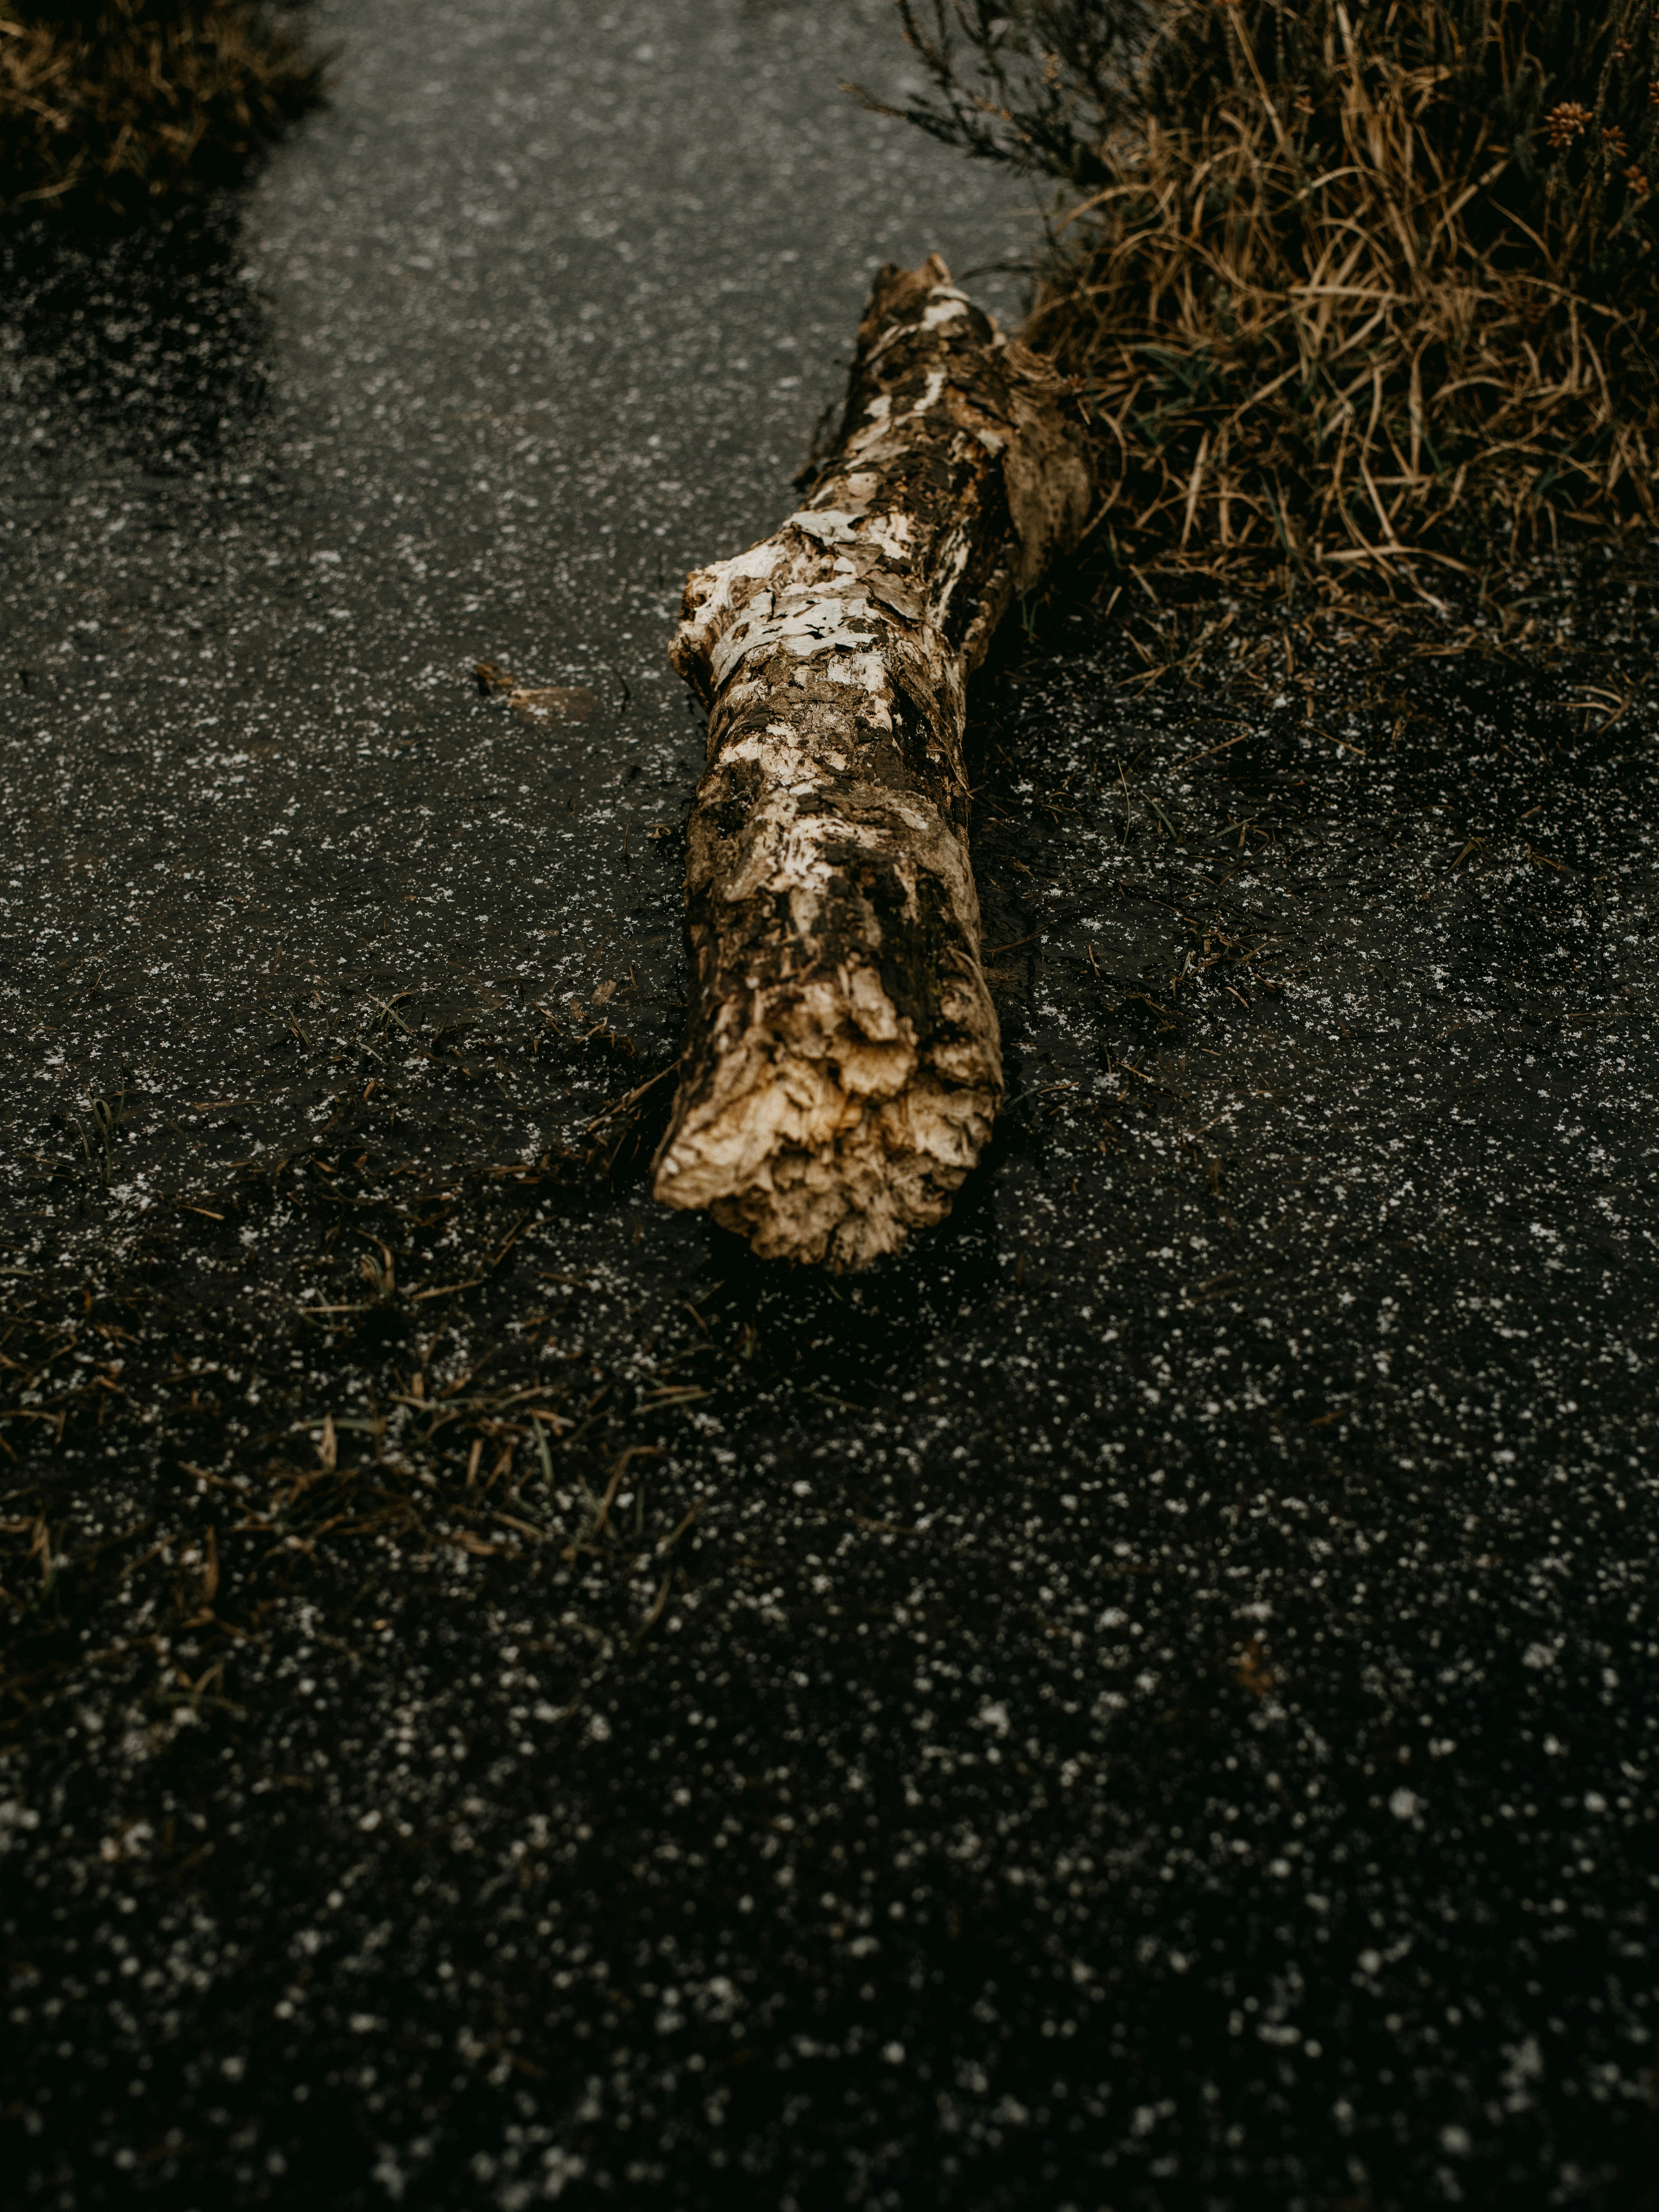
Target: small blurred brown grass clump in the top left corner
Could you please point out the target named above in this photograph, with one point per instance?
(125, 103)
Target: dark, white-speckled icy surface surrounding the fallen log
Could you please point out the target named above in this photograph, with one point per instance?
(1147, 1702)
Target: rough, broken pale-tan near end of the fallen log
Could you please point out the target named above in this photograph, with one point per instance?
(824, 1136)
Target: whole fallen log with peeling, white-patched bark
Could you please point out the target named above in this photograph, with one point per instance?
(844, 1065)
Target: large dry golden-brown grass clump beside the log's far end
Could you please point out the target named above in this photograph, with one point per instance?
(1355, 286)
